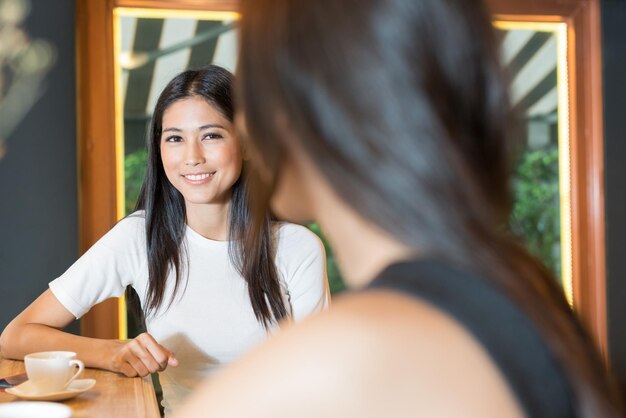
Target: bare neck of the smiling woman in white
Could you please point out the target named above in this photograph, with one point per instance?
(210, 220)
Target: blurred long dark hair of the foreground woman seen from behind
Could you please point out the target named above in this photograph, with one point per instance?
(402, 105)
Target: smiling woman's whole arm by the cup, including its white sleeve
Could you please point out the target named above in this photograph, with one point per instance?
(102, 272)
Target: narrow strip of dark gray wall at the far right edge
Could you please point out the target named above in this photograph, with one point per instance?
(614, 79)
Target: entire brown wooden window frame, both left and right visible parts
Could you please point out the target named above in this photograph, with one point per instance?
(98, 193)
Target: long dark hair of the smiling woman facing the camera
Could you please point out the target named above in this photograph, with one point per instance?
(165, 217)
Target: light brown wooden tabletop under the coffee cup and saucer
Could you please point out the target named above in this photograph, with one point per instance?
(113, 396)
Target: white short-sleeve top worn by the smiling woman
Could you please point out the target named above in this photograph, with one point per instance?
(211, 321)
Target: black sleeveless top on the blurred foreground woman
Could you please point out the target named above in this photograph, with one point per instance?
(505, 332)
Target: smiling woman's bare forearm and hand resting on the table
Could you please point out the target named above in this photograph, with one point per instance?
(39, 328)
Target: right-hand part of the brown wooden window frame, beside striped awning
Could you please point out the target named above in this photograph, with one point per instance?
(586, 147)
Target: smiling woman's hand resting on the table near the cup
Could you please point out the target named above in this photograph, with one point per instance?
(142, 356)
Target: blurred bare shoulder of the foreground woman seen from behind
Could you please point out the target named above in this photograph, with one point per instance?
(372, 354)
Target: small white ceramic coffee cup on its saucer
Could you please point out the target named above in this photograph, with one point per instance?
(52, 371)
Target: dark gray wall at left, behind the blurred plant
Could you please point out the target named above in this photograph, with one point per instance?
(38, 186)
